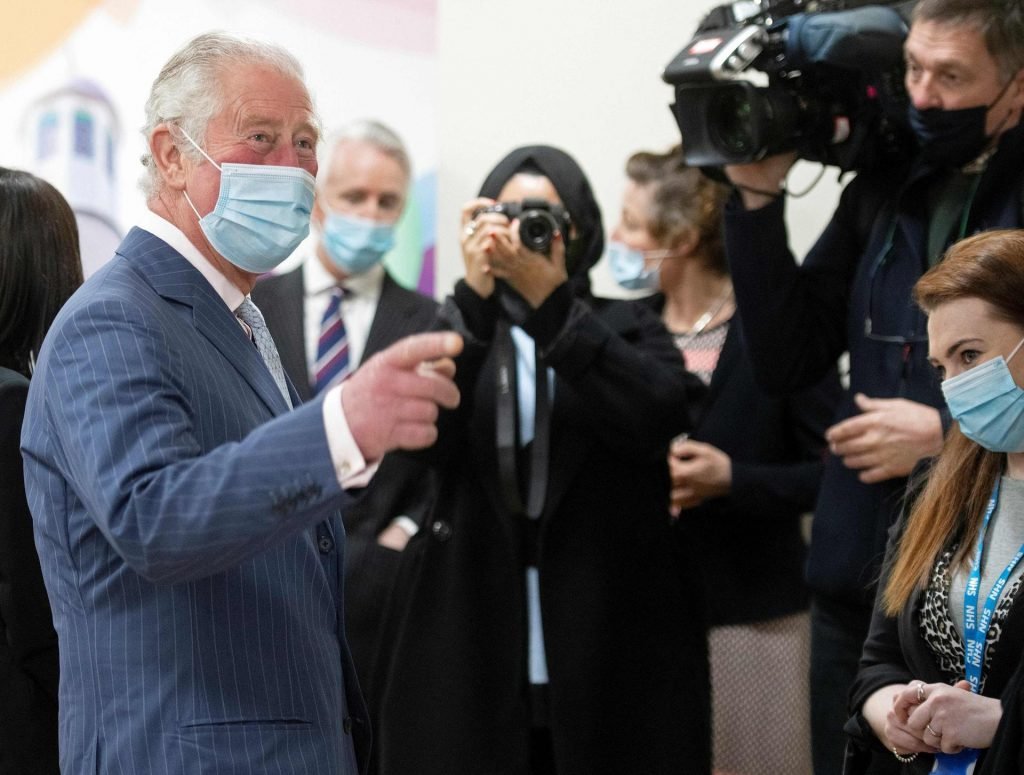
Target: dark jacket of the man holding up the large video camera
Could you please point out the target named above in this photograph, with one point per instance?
(799, 319)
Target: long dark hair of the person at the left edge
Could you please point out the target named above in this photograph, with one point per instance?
(40, 266)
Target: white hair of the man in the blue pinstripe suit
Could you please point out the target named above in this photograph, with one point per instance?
(188, 94)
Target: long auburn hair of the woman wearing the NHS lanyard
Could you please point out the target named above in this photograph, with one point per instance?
(988, 267)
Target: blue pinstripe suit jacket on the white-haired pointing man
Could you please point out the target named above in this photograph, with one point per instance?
(189, 532)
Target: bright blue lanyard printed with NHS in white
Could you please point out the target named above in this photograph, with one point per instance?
(975, 631)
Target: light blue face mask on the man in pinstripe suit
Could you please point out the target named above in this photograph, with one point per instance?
(262, 216)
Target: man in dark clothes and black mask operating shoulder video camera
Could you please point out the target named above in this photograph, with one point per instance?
(852, 293)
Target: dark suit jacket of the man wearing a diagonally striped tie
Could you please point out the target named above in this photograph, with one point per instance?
(401, 487)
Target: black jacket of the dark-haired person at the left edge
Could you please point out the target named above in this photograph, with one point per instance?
(28, 642)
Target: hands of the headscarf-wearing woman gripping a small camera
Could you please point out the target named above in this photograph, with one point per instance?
(492, 249)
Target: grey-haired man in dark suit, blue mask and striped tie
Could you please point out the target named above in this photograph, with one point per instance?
(344, 286)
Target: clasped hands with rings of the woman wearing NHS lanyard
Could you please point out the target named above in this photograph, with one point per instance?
(932, 718)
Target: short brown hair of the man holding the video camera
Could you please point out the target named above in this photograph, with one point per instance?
(1000, 22)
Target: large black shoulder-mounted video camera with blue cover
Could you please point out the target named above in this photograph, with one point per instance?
(818, 77)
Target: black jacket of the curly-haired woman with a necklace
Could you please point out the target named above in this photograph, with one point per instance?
(750, 542)
